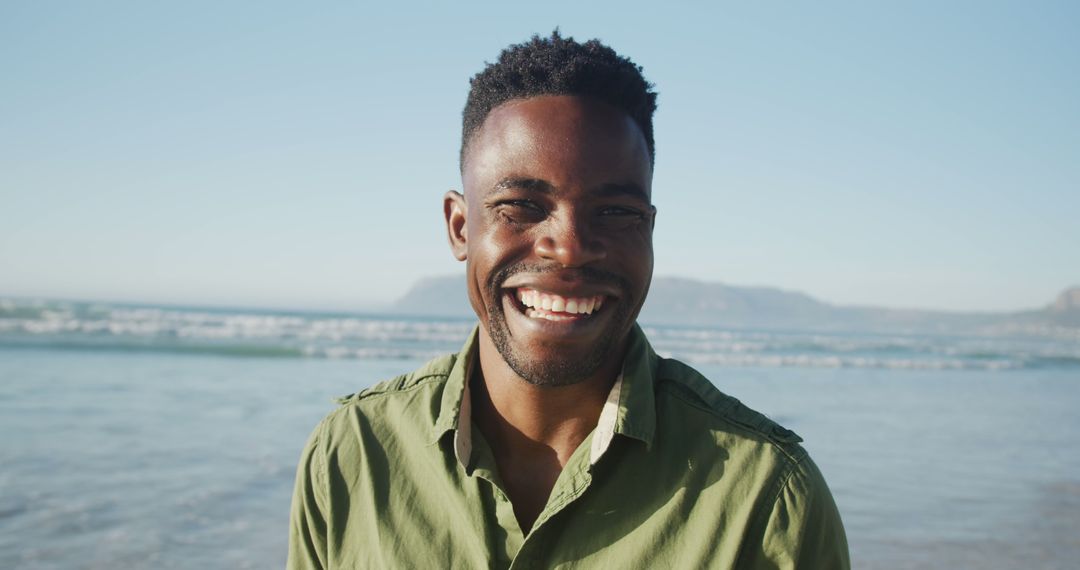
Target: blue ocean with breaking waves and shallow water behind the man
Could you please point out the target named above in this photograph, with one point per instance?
(142, 437)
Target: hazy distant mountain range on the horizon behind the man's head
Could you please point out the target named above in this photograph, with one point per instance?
(691, 303)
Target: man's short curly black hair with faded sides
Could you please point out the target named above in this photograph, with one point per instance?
(560, 66)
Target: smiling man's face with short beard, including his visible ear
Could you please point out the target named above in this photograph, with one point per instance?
(557, 228)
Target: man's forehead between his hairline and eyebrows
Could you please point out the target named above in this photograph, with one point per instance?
(564, 141)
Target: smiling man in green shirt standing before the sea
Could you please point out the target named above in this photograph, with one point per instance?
(558, 438)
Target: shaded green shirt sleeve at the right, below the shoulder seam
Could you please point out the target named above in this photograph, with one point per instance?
(804, 531)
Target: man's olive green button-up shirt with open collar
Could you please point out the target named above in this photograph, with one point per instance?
(676, 476)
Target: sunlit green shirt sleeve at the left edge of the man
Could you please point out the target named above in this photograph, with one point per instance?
(307, 524)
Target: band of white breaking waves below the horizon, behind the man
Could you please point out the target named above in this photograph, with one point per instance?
(252, 334)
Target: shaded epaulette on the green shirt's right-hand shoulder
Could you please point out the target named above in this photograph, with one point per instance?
(688, 393)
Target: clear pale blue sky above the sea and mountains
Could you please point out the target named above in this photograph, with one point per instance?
(910, 155)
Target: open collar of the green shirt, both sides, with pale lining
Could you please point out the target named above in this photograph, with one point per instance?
(630, 410)
